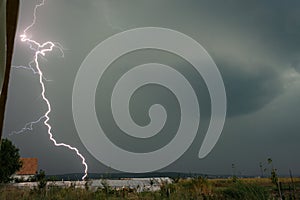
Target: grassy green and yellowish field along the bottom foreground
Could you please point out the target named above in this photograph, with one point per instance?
(196, 188)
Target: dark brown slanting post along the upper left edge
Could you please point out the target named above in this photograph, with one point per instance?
(12, 10)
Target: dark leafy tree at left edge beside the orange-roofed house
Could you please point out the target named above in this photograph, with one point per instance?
(9, 160)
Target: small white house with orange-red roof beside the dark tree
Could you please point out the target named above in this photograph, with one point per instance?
(28, 170)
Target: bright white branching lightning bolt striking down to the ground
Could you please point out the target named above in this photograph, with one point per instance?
(40, 50)
